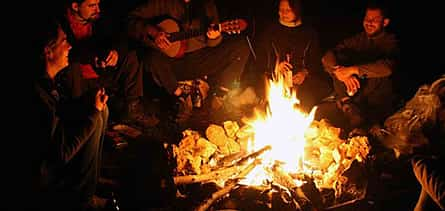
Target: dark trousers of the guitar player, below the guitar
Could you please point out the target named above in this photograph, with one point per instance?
(222, 64)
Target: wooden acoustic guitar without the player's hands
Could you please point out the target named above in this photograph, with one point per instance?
(178, 38)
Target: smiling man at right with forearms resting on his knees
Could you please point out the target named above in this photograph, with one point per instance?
(361, 68)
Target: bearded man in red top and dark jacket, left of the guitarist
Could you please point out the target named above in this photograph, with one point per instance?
(102, 58)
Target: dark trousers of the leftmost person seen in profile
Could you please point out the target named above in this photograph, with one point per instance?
(72, 184)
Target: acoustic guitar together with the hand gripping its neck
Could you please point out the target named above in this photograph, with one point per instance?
(171, 40)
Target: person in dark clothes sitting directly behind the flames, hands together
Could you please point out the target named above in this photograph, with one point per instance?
(294, 43)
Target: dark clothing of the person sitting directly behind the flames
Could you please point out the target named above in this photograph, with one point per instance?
(301, 43)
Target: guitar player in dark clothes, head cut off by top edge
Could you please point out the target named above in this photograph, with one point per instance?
(193, 57)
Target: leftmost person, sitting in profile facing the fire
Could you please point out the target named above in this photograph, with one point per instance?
(69, 134)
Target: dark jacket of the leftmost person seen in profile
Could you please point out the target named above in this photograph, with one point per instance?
(61, 129)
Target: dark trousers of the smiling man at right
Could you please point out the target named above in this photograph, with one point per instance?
(375, 98)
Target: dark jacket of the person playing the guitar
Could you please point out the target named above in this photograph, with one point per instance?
(194, 15)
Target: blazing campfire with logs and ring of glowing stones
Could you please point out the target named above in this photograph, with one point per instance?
(281, 150)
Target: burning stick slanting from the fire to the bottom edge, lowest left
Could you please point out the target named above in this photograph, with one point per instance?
(229, 186)
